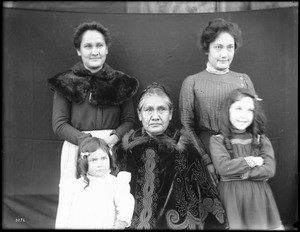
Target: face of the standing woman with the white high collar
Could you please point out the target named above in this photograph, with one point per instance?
(221, 51)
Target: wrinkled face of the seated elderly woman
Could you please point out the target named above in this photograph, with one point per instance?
(155, 114)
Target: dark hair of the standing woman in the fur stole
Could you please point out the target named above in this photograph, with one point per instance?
(93, 26)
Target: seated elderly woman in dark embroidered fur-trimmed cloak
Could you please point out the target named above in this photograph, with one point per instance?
(170, 184)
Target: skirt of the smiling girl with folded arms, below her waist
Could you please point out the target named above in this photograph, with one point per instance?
(249, 205)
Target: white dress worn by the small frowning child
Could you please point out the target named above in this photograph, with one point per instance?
(106, 200)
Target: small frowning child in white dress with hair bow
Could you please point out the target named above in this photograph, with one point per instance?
(98, 199)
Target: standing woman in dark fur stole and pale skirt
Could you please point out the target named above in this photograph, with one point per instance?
(91, 100)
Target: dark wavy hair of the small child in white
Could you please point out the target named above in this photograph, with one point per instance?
(83, 163)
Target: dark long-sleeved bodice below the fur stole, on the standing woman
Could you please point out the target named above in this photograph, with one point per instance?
(69, 119)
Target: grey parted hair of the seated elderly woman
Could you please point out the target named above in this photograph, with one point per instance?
(155, 89)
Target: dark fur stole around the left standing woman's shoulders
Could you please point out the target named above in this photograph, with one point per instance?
(106, 87)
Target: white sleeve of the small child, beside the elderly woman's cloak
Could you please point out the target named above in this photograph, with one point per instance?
(123, 198)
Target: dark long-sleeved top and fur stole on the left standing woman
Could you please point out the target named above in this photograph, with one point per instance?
(98, 101)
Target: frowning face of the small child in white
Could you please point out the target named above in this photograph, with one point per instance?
(98, 163)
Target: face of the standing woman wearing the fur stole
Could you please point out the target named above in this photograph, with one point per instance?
(93, 50)
